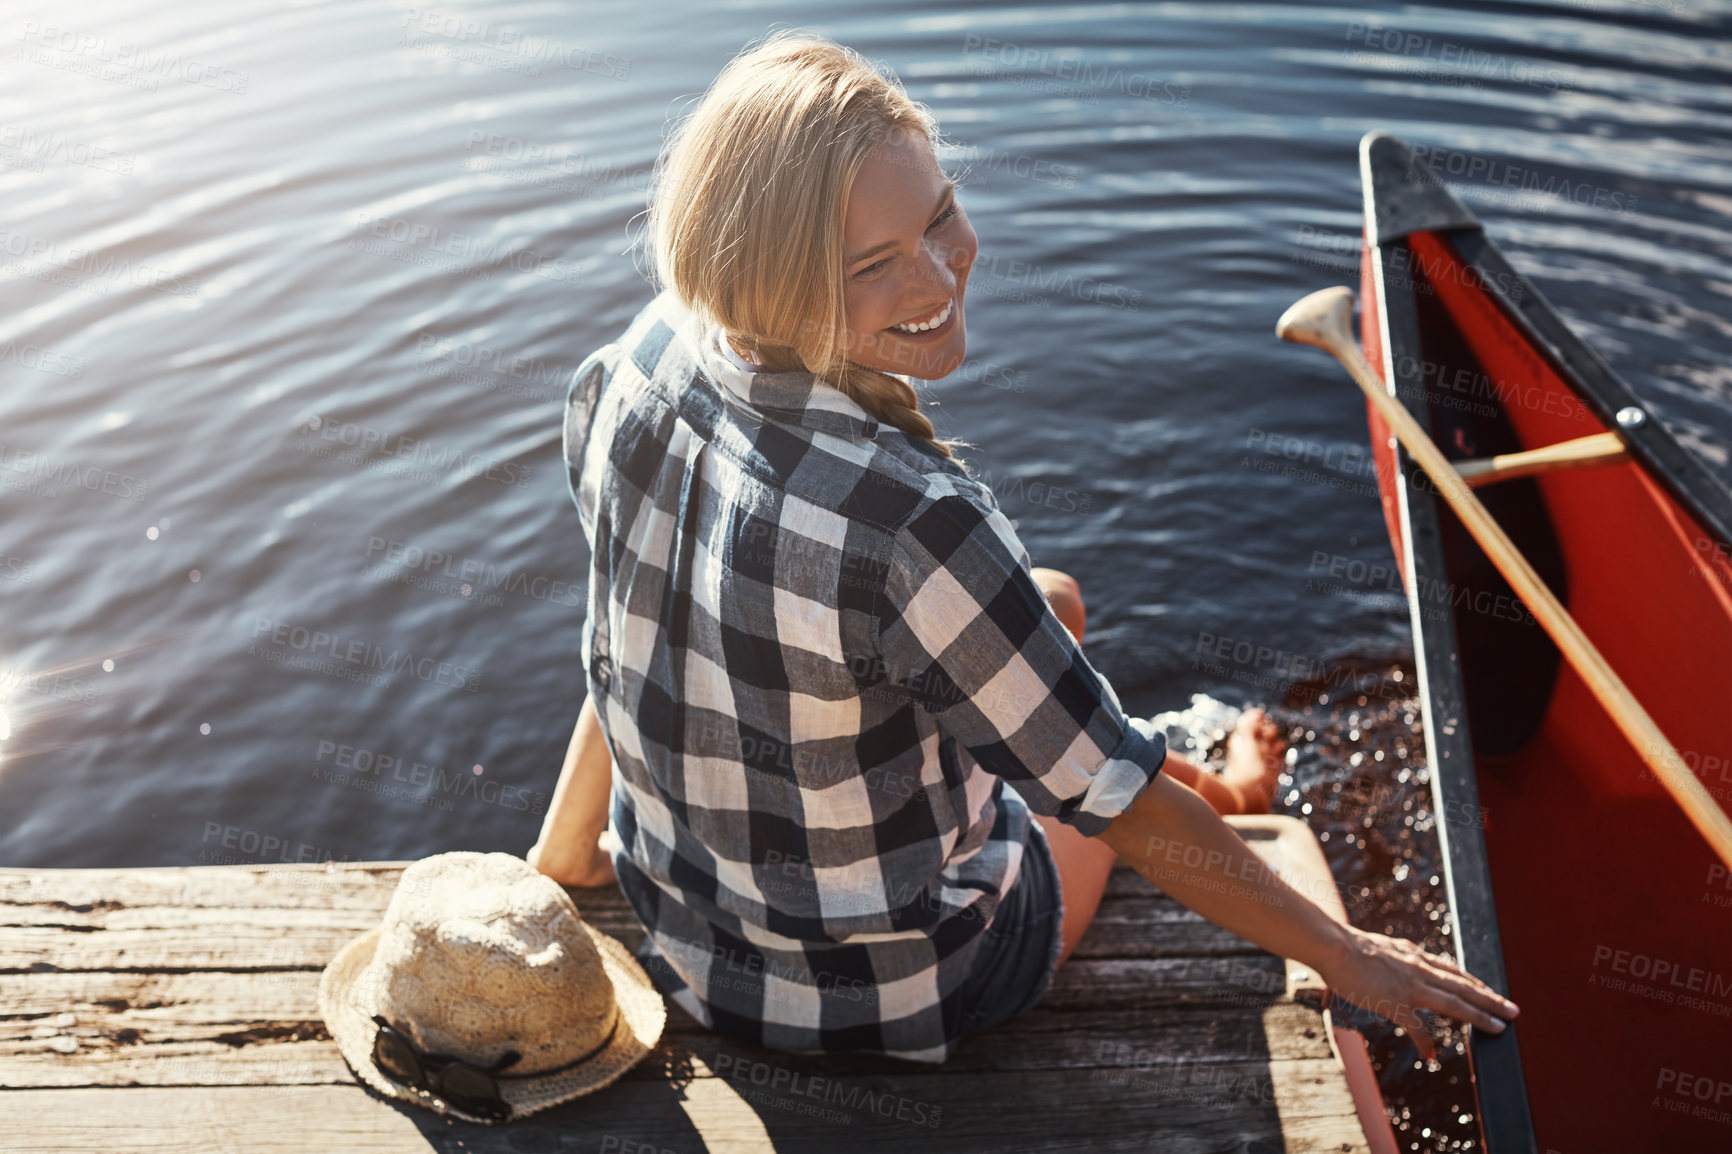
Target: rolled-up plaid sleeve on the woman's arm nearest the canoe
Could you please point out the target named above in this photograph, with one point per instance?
(973, 639)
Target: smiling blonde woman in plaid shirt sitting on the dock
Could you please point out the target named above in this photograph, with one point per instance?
(829, 678)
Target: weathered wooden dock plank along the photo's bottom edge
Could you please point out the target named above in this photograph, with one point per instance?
(1243, 1110)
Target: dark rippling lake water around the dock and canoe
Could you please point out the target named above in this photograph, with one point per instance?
(290, 299)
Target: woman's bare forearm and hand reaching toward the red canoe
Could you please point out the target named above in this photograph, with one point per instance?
(1179, 843)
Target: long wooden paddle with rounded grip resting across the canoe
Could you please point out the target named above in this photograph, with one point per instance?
(1326, 320)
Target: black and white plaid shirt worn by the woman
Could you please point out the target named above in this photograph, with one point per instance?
(818, 658)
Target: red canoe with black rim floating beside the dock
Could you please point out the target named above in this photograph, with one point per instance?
(1575, 879)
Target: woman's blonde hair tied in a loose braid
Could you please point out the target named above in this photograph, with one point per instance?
(749, 202)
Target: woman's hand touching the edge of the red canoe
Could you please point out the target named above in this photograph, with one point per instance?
(1395, 980)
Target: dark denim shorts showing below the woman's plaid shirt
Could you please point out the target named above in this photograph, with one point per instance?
(1019, 950)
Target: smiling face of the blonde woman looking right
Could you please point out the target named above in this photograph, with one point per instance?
(907, 249)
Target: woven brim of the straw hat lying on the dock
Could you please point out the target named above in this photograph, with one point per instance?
(347, 1006)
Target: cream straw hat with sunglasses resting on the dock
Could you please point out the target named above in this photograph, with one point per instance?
(479, 956)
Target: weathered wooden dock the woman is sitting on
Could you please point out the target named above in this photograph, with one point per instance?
(176, 1009)
